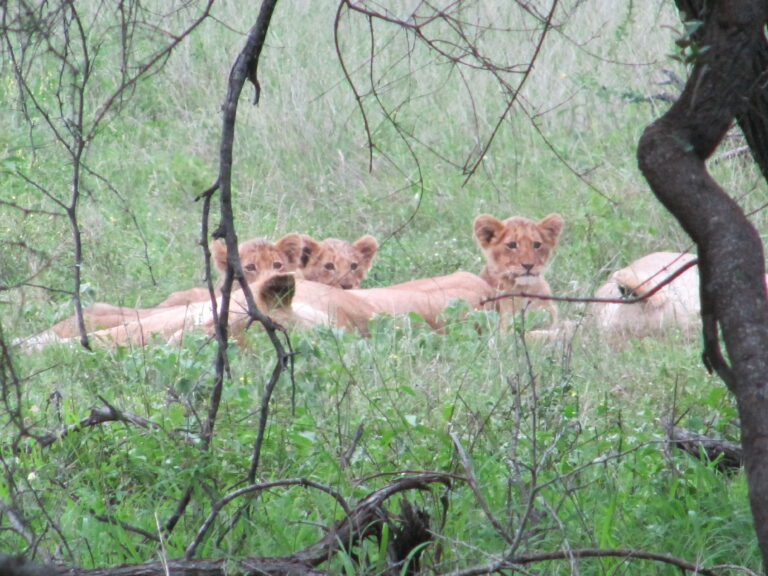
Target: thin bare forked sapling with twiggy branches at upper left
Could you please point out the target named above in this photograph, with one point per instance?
(57, 31)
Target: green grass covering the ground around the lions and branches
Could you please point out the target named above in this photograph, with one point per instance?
(565, 439)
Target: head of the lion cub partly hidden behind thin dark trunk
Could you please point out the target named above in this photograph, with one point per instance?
(260, 257)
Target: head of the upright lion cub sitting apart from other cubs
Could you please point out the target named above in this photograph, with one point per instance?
(517, 249)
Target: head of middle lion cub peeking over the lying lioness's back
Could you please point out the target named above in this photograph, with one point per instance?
(337, 262)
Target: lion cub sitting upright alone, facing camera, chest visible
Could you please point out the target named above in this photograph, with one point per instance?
(516, 253)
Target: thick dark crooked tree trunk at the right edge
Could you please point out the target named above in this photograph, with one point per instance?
(726, 78)
